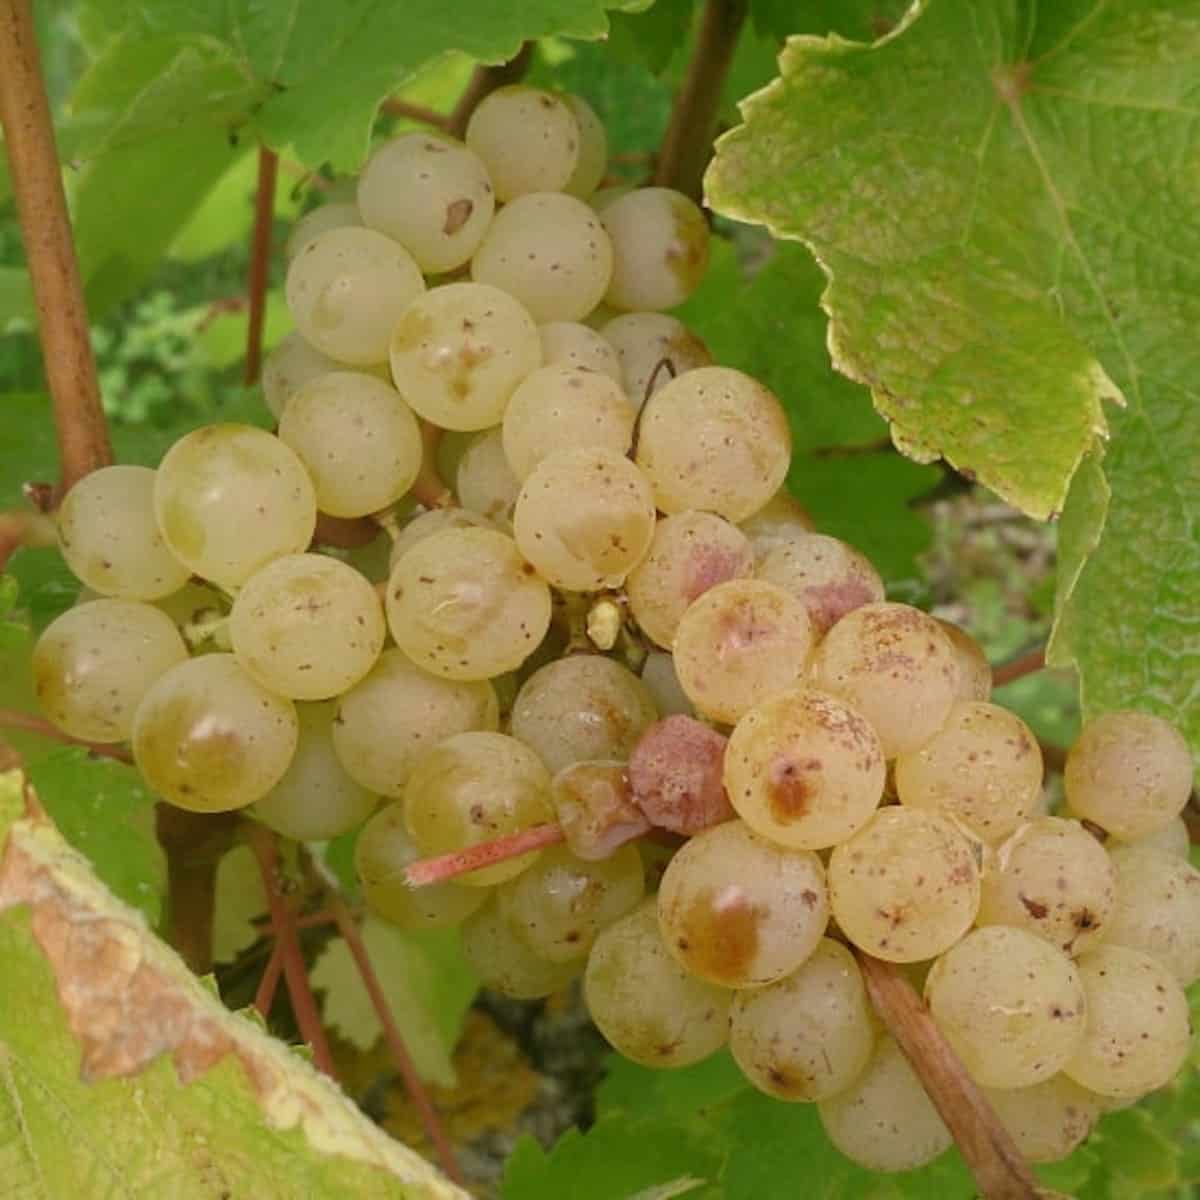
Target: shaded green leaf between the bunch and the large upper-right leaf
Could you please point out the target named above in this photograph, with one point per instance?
(843, 469)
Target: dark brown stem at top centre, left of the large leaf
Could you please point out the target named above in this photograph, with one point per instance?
(688, 143)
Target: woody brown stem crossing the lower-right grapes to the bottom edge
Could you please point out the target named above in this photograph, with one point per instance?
(987, 1147)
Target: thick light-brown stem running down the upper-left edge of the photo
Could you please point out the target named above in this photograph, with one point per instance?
(55, 271)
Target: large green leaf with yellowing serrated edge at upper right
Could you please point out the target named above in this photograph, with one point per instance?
(1003, 266)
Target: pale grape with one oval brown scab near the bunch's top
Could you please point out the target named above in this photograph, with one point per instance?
(431, 195)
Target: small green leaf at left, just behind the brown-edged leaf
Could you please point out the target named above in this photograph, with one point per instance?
(106, 813)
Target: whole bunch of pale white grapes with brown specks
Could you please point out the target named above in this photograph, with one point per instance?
(722, 763)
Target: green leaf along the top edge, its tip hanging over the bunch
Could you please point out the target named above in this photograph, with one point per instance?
(323, 69)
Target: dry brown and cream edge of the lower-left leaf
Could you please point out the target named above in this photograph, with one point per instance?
(129, 999)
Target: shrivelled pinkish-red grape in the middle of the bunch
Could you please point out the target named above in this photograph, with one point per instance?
(675, 776)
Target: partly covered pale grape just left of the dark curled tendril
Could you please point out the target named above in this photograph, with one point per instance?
(561, 409)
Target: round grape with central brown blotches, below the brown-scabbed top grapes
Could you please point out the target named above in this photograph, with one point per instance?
(459, 352)
